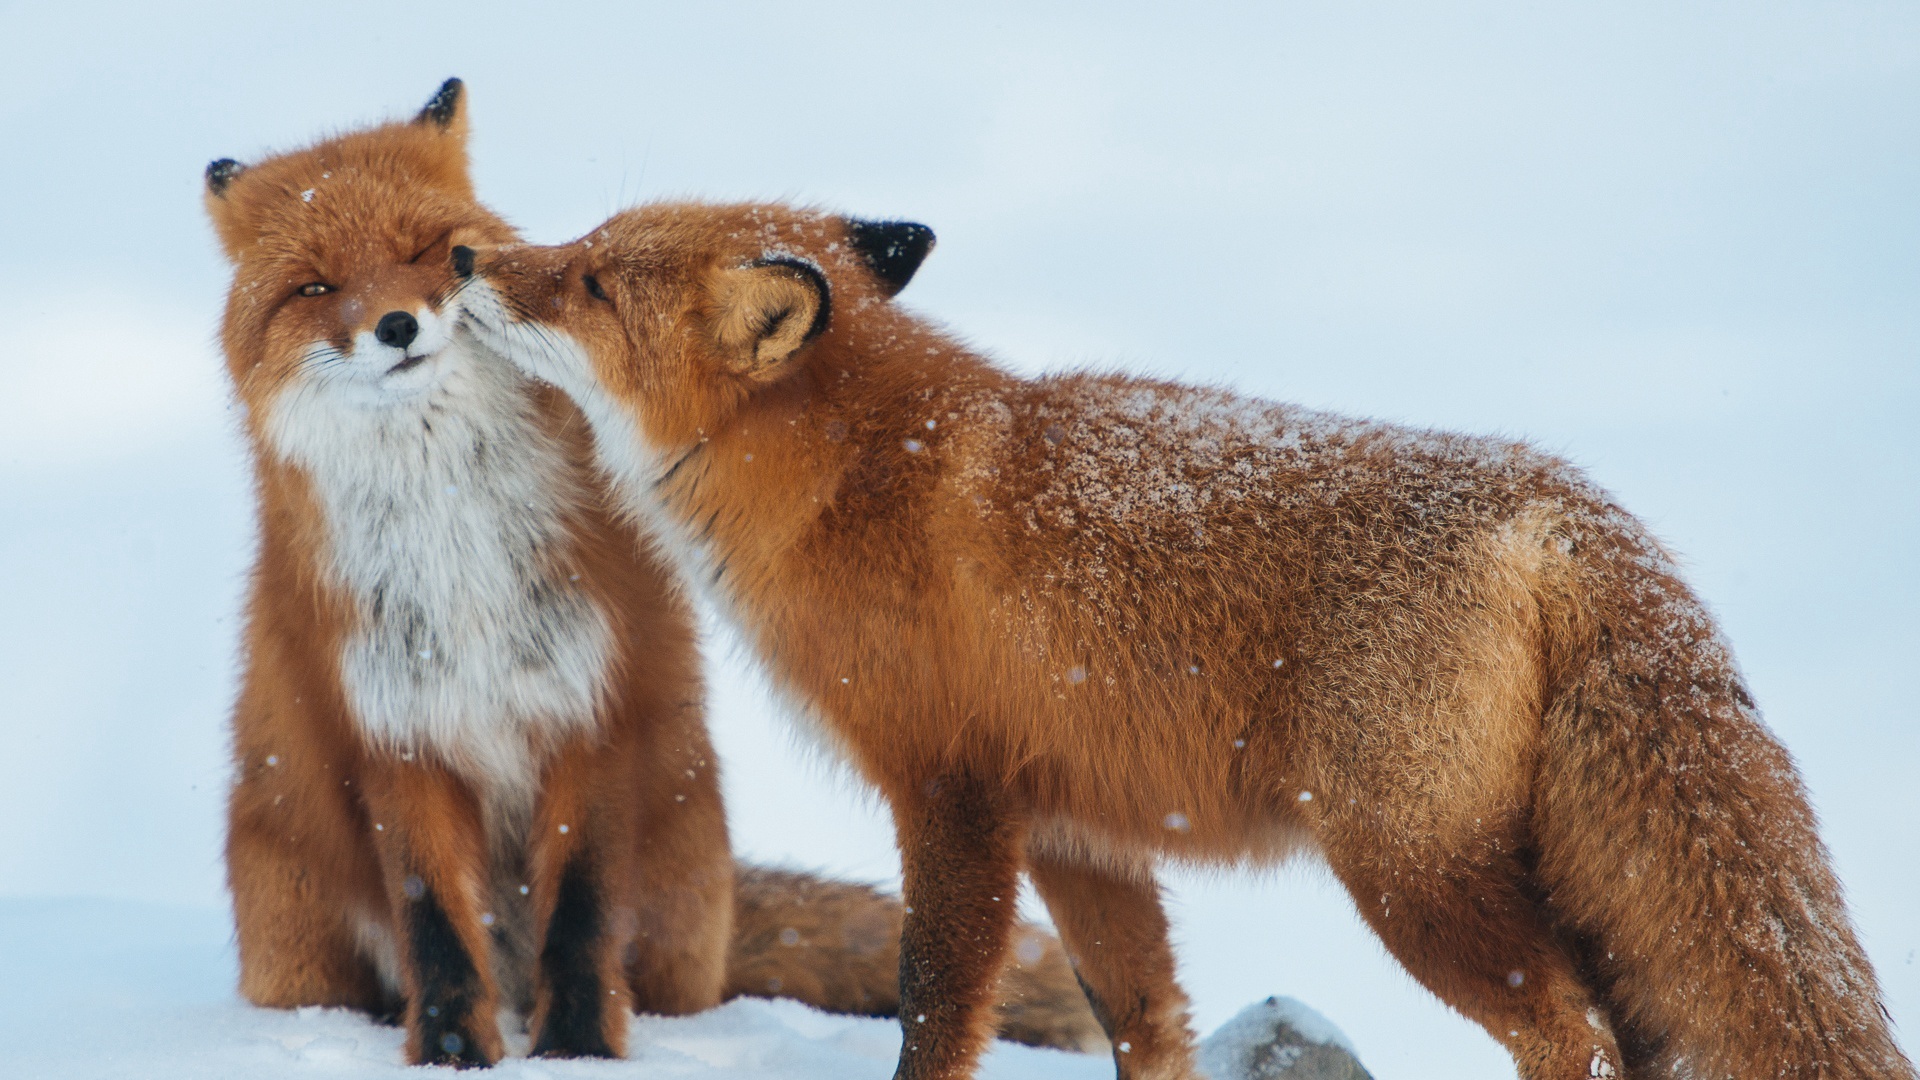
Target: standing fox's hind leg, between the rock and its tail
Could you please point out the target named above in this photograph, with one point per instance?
(1470, 931)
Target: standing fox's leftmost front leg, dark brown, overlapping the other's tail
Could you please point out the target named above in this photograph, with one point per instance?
(961, 860)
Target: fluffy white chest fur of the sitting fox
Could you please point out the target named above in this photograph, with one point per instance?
(446, 526)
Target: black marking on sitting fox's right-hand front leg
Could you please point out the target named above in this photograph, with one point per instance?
(571, 970)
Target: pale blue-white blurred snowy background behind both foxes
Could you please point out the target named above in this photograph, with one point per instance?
(1673, 241)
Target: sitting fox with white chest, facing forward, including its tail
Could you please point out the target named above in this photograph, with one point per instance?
(471, 760)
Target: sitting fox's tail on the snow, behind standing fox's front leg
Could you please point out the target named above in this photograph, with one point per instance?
(836, 946)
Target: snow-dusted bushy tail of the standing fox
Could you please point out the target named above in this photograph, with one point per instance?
(1679, 847)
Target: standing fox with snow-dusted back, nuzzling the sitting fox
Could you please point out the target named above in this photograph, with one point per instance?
(1080, 626)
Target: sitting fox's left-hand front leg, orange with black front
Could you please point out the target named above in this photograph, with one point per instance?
(433, 856)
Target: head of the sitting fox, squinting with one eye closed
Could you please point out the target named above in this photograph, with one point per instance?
(341, 255)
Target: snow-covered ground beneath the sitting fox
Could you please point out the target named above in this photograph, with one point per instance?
(132, 991)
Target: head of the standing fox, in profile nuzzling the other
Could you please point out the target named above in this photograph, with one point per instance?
(675, 316)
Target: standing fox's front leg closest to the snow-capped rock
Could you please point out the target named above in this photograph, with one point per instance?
(1116, 935)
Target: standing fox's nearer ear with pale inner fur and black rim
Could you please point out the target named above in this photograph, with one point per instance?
(767, 312)
